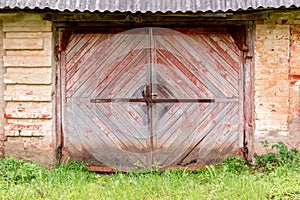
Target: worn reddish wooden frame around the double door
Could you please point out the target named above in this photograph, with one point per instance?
(246, 60)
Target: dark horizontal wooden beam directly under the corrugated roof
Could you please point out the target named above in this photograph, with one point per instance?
(127, 17)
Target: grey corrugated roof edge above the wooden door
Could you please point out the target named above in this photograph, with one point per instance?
(148, 5)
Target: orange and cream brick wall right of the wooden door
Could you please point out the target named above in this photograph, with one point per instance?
(276, 94)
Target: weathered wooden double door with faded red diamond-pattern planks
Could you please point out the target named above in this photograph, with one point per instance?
(153, 96)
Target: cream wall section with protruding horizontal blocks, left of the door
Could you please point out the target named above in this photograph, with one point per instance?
(29, 94)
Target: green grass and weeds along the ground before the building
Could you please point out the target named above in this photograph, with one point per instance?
(21, 180)
